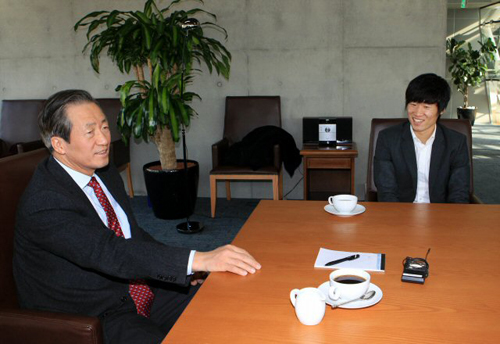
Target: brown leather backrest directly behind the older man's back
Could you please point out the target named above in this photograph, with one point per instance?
(15, 173)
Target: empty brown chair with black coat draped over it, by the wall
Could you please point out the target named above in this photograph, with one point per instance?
(244, 114)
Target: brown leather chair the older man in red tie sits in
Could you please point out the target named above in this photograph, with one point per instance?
(20, 325)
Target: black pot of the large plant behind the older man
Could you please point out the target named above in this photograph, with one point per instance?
(170, 197)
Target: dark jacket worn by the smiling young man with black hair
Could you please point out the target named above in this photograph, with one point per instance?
(395, 166)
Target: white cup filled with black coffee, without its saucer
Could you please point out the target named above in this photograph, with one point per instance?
(348, 284)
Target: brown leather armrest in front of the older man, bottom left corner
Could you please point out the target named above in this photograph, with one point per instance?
(29, 326)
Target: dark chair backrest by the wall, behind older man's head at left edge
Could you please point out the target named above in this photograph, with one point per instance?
(18, 122)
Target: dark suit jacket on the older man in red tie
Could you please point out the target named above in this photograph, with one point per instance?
(67, 260)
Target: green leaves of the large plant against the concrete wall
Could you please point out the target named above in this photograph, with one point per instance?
(154, 37)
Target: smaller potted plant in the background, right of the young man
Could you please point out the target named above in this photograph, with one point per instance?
(468, 68)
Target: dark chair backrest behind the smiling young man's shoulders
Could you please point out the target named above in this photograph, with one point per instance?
(378, 124)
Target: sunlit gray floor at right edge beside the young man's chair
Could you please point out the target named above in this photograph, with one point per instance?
(486, 160)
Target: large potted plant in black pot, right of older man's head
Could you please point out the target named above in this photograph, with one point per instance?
(164, 48)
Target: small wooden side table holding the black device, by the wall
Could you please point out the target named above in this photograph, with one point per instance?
(328, 171)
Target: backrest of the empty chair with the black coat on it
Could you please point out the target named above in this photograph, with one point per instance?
(244, 114)
